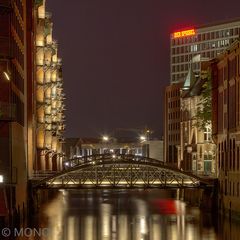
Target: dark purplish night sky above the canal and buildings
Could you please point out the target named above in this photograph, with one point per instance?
(116, 57)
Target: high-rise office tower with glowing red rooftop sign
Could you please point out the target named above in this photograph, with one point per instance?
(207, 40)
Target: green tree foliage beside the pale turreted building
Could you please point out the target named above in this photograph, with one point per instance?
(204, 107)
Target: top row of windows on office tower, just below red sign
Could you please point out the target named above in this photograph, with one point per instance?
(206, 36)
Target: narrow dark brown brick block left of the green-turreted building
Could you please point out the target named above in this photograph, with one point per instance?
(172, 123)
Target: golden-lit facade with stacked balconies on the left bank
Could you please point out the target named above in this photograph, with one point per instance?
(49, 94)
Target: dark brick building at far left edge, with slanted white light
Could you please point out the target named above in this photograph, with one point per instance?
(13, 98)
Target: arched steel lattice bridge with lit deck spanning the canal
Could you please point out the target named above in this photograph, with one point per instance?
(123, 171)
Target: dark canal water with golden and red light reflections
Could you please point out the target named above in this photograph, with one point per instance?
(130, 215)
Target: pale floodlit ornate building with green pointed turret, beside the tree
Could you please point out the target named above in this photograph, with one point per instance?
(197, 149)
